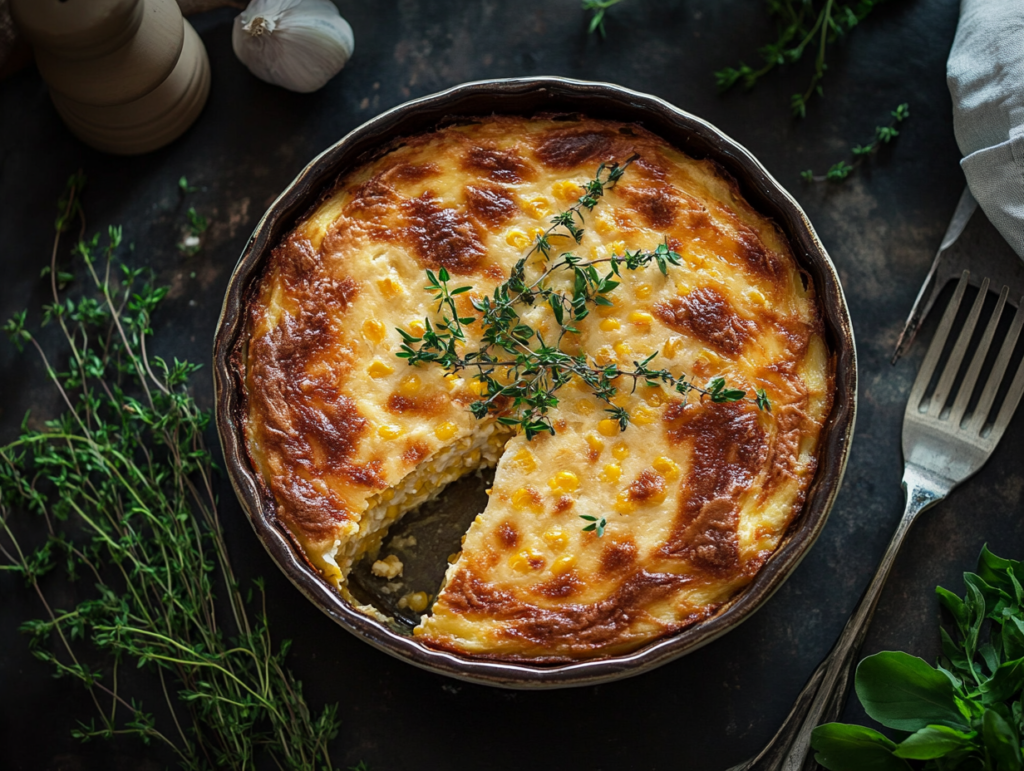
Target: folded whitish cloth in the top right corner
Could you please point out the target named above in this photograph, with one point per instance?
(986, 74)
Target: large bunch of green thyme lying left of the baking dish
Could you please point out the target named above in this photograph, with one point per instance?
(122, 483)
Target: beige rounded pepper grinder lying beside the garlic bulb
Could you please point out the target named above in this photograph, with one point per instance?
(127, 76)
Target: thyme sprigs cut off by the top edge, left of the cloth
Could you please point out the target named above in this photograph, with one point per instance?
(800, 25)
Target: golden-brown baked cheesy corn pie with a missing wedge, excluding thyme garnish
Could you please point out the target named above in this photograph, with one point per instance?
(697, 495)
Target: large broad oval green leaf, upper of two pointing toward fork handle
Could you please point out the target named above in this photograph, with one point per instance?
(905, 693)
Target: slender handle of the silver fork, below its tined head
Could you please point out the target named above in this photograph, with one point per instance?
(825, 695)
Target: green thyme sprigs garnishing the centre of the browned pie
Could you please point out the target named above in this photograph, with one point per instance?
(516, 370)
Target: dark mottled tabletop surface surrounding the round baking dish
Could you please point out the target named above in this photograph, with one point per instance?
(713, 708)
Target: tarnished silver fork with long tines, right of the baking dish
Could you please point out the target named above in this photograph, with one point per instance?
(944, 446)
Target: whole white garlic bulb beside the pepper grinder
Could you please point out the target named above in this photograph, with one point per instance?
(297, 45)
